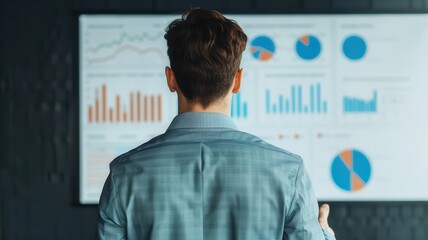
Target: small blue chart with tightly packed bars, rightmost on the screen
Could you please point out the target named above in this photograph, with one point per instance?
(359, 105)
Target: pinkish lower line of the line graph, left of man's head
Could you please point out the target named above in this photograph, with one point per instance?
(124, 48)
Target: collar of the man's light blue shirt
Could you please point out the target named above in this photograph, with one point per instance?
(201, 120)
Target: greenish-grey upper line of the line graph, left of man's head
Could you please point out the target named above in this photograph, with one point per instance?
(125, 37)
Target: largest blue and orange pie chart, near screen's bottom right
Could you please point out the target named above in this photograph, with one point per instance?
(351, 170)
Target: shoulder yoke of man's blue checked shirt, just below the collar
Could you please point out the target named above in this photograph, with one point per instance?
(172, 142)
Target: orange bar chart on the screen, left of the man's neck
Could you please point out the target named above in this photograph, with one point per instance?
(140, 108)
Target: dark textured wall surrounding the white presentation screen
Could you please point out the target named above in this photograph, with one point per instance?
(38, 106)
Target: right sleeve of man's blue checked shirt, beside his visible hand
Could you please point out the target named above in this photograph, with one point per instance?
(301, 222)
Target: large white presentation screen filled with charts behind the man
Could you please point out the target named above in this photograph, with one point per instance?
(348, 93)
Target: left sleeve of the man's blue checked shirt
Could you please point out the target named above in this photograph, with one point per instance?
(110, 222)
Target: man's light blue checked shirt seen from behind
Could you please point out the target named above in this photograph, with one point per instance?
(205, 180)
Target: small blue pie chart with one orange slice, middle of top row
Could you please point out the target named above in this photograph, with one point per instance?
(308, 47)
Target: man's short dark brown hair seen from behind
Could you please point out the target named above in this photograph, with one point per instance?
(205, 50)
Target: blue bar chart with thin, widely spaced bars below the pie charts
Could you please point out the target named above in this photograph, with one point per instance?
(297, 102)
